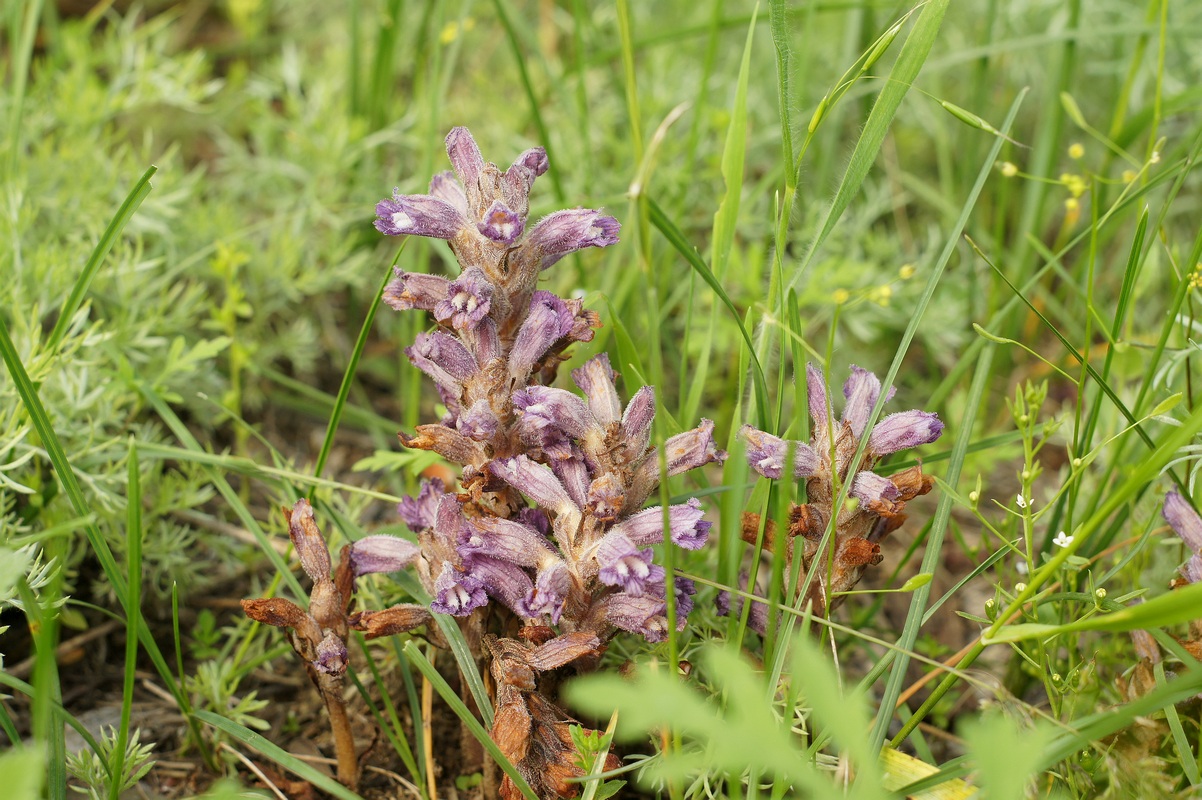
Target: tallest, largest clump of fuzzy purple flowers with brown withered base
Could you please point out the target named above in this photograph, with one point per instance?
(549, 520)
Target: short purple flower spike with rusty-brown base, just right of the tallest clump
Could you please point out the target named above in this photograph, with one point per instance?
(824, 463)
